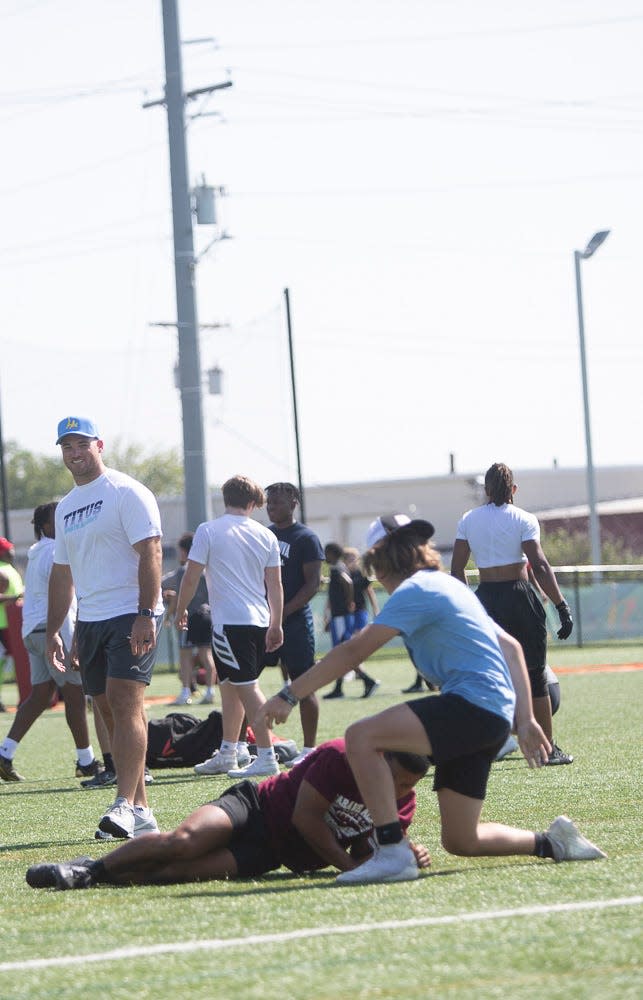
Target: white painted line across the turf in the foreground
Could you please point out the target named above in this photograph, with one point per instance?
(220, 944)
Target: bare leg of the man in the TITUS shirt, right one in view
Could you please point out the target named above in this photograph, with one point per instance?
(129, 737)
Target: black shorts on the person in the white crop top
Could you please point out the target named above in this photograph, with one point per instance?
(515, 606)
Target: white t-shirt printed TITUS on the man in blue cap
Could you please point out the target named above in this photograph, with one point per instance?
(96, 527)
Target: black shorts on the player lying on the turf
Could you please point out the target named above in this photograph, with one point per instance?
(250, 844)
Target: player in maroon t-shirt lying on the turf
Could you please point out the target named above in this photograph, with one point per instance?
(308, 818)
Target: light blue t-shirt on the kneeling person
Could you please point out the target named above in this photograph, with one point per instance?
(451, 639)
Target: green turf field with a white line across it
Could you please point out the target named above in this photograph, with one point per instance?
(469, 928)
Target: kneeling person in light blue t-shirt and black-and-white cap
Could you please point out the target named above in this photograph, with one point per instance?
(484, 686)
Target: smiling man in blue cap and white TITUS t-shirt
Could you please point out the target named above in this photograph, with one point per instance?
(108, 547)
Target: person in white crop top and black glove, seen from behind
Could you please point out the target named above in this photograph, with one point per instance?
(505, 543)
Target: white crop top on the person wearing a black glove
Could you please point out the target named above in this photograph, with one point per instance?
(495, 534)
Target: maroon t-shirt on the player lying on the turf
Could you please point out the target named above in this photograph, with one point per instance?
(329, 773)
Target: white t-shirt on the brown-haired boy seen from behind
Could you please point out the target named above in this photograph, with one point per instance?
(236, 551)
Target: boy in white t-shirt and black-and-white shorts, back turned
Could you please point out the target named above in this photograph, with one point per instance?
(243, 573)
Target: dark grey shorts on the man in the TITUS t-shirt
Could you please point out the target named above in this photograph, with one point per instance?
(104, 651)
